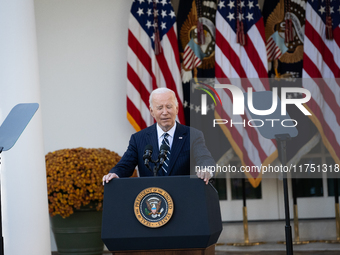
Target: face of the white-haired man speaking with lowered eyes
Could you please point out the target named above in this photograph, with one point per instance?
(164, 110)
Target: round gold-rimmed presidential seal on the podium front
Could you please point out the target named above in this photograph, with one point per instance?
(153, 207)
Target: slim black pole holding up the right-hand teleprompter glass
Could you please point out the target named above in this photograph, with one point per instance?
(281, 140)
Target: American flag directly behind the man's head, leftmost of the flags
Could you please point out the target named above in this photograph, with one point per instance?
(147, 71)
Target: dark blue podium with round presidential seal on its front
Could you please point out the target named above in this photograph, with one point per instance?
(160, 215)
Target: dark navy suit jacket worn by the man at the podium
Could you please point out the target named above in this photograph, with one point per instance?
(188, 143)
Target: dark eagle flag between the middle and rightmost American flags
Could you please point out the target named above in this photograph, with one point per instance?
(285, 58)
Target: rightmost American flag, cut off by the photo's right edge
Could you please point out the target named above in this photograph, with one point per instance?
(321, 71)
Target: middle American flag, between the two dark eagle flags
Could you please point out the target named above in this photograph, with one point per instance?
(248, 61)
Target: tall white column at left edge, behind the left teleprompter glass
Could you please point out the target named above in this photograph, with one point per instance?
(23, 180)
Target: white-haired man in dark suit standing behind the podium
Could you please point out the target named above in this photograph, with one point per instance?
(187, 146)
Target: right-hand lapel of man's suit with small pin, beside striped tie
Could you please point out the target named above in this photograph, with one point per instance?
(177, 144)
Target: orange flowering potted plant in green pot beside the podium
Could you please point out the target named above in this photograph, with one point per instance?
(75, 197)
